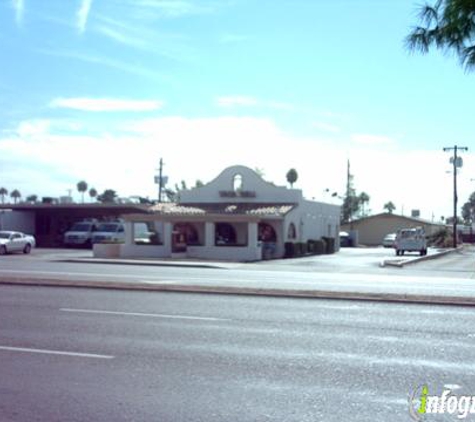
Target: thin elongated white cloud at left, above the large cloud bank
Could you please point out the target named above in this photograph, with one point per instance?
(106, 104)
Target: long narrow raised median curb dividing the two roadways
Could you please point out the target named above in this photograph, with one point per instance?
(248, 291)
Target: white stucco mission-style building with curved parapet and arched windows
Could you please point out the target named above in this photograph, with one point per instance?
(238, 216)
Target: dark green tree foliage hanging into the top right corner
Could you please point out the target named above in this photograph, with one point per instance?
(448, 25)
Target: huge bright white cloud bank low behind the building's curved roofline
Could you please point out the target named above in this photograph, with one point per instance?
(200, 148)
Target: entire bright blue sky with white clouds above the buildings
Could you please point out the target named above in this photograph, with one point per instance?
(100, 90)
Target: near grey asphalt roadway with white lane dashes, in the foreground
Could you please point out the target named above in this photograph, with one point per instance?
(99, 355)
